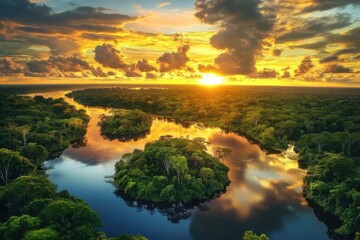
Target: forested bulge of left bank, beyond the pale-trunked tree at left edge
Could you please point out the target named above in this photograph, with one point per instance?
(38, 127)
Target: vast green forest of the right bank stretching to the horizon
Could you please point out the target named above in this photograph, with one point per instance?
(324, 125)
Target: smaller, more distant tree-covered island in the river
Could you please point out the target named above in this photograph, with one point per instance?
(125, 124)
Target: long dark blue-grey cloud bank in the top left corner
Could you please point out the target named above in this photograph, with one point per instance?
(80, 18)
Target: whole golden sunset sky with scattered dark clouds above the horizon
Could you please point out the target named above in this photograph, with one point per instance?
(251, 42)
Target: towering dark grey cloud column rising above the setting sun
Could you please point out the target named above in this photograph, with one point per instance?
(244, 24)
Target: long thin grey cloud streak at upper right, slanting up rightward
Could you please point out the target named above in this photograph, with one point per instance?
(316, 27)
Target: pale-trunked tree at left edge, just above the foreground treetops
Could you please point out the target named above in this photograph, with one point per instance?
(12, 165)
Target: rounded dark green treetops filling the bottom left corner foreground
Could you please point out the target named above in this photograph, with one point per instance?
(33, 209)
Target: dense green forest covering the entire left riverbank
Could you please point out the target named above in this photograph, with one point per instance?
(34, 130)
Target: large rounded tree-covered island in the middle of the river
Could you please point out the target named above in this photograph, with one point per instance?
(170, 171)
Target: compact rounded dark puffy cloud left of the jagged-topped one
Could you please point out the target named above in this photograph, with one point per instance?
(108, 56)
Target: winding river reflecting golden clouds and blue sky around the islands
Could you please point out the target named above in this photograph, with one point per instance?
(265, 193)
